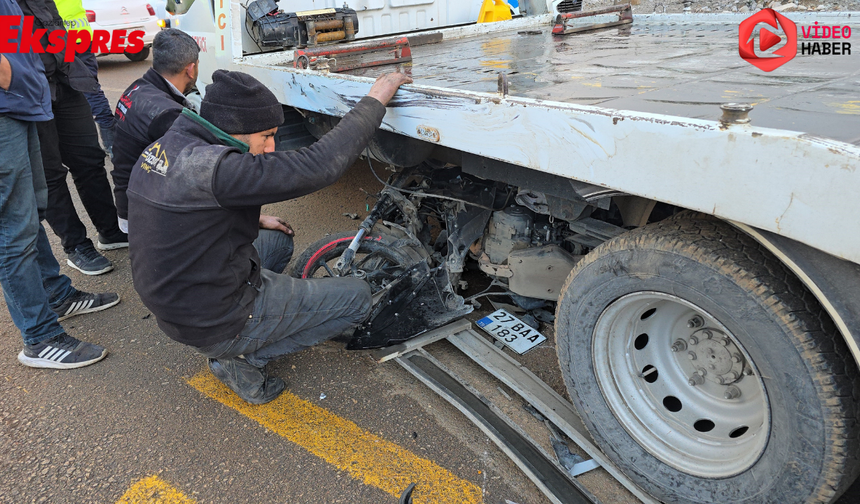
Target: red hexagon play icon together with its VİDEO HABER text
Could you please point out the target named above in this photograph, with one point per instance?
(836, 40)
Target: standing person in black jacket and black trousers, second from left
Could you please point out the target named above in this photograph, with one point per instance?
(70, 143)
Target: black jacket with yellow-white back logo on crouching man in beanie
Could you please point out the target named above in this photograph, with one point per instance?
(194, 207)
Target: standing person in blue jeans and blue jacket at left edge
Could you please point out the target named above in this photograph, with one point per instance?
(37, 295)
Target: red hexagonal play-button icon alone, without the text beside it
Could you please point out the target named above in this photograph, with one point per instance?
(767, 62)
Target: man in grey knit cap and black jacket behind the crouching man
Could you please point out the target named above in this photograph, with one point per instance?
(147, 109)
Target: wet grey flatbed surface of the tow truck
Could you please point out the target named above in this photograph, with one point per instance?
(675, 64)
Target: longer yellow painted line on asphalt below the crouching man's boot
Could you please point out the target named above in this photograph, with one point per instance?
(343, 444)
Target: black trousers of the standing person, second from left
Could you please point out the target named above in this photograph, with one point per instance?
(70, 140)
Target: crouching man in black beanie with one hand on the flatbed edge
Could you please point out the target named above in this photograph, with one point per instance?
(194, 210)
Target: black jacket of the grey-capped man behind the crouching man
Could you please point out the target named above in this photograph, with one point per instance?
(144, 113)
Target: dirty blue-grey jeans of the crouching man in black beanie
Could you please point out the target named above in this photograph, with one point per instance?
(291, 314)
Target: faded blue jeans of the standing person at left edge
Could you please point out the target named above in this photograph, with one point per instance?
(29, 272)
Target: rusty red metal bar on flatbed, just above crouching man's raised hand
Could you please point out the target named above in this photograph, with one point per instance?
(356, 55)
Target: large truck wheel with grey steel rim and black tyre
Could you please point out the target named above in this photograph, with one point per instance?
(706, 370)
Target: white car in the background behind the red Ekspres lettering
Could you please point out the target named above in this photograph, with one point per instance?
(112, 15)
